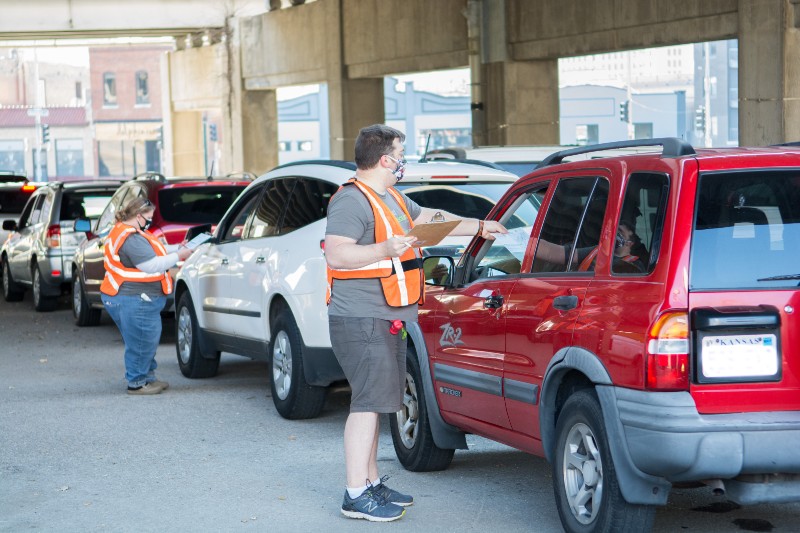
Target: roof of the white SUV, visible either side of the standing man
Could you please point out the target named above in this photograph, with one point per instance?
(337, 171)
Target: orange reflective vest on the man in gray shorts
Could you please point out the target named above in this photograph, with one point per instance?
(401, 277)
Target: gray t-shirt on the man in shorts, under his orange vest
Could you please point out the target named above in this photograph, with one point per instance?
(350, 215)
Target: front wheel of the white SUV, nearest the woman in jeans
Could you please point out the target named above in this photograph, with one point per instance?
(187, 343)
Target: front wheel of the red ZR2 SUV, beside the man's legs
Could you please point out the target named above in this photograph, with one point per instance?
(411, 428)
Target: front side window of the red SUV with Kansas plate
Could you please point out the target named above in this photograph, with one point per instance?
(504, 255)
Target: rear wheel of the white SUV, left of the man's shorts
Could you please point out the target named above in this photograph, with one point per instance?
(293, 397)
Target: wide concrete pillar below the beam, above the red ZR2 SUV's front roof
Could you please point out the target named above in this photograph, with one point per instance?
(521, 102)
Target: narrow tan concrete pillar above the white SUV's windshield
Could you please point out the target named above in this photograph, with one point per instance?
(259, 130)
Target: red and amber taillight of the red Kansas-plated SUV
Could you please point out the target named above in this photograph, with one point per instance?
(668, 352)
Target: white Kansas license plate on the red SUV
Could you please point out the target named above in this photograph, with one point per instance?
(739, 356)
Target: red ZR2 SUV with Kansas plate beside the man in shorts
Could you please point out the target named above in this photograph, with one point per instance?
(636, 327)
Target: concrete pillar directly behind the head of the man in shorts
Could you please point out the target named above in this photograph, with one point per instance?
(353, 104)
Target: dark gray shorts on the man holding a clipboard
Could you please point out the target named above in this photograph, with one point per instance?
(373, 360)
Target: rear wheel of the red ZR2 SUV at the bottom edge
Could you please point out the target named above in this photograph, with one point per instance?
(586, 487)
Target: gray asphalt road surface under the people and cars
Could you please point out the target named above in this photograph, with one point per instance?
(77, 454)
